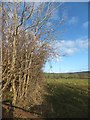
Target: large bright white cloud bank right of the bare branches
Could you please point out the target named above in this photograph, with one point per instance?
(69, 47)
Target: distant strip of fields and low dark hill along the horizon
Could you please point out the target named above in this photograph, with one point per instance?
(81, 75)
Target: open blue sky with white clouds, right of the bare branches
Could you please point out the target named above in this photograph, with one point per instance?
(74, 41)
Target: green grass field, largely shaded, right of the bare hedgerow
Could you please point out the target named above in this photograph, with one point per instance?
(69, 98)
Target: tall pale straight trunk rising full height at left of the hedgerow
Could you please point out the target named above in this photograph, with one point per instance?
(14, 57)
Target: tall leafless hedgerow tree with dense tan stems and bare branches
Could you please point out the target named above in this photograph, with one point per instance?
(26, 46)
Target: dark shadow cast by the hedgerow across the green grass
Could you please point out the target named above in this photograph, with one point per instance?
(65, 102)
